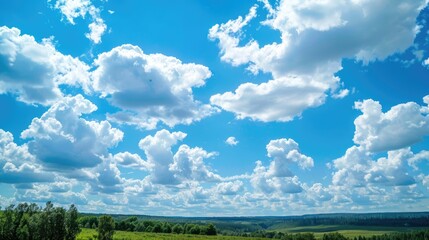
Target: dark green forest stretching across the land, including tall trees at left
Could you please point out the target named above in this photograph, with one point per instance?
(31, 222)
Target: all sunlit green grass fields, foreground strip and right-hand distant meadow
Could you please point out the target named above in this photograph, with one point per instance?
(347, 231)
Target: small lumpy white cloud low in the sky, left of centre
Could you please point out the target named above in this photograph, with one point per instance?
(187, 164)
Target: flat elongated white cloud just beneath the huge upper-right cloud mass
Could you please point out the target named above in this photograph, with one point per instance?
(277, 100)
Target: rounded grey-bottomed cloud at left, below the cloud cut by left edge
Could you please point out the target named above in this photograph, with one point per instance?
(64, 141)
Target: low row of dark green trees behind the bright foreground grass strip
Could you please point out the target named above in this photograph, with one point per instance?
(133, 224)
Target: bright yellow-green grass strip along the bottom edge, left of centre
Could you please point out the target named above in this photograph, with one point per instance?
(87, 234)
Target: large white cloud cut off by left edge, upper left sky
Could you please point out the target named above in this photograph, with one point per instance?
(34, 71)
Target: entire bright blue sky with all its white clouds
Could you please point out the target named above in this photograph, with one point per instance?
(215, 108)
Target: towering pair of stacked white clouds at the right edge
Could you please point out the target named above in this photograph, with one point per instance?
(376, 132)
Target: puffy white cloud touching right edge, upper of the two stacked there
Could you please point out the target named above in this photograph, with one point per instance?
(401, 126)
